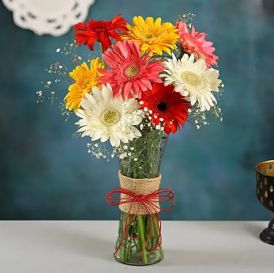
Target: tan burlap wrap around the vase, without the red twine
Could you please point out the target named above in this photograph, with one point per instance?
(140, 187)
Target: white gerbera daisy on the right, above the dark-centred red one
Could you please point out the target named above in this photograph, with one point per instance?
(193, 80)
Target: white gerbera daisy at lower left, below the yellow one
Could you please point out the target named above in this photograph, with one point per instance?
(105, 117)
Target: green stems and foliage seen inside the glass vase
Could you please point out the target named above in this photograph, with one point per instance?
(147, 153)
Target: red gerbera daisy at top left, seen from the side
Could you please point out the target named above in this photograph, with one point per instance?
(100, 31)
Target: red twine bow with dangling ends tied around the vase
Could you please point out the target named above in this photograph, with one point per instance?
(148, 203)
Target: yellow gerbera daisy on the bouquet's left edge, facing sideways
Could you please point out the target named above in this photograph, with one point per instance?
(85, 78)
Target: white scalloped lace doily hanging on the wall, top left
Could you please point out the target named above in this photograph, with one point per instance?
(54, 17)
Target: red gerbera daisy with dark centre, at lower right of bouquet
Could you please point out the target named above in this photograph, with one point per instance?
(166, 107)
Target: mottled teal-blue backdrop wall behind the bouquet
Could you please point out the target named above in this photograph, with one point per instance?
(46, 174)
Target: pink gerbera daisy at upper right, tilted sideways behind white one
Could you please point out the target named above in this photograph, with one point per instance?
(195, 43)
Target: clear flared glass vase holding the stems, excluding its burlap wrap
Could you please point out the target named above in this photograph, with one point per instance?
(139, 243)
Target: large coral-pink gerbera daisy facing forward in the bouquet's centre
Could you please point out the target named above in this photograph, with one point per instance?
(130, 73)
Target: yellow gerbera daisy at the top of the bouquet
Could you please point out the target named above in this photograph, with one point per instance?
(152, 36)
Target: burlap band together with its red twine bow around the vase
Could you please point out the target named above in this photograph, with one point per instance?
(141, 196)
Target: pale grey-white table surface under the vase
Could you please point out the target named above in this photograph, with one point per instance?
(87, 246)
